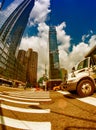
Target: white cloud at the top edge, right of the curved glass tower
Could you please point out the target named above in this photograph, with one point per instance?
(39, 12)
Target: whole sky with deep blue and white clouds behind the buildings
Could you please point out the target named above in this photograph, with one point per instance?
(75, 21)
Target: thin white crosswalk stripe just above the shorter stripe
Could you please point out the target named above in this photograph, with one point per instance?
(27, 99)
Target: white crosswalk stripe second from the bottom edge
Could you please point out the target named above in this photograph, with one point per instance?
(26, 110)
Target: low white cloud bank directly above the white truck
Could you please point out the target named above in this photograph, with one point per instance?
(77, 54)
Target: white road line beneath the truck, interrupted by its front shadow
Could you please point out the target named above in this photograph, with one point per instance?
(89, 100)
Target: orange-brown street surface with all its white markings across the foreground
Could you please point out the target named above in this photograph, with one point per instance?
(39, 110)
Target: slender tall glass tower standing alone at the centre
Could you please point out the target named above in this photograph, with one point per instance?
(54, 70)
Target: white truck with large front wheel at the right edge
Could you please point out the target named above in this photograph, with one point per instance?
(83, 77)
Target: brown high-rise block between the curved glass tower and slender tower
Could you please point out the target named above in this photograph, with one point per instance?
(29, 59)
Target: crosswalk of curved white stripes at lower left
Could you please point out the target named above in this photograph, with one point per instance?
(13, 102)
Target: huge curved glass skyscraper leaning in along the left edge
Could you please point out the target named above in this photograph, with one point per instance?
(11, 34)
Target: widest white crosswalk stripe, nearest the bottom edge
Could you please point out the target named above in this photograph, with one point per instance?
(25, 125)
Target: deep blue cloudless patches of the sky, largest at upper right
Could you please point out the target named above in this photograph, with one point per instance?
(79, 16)
